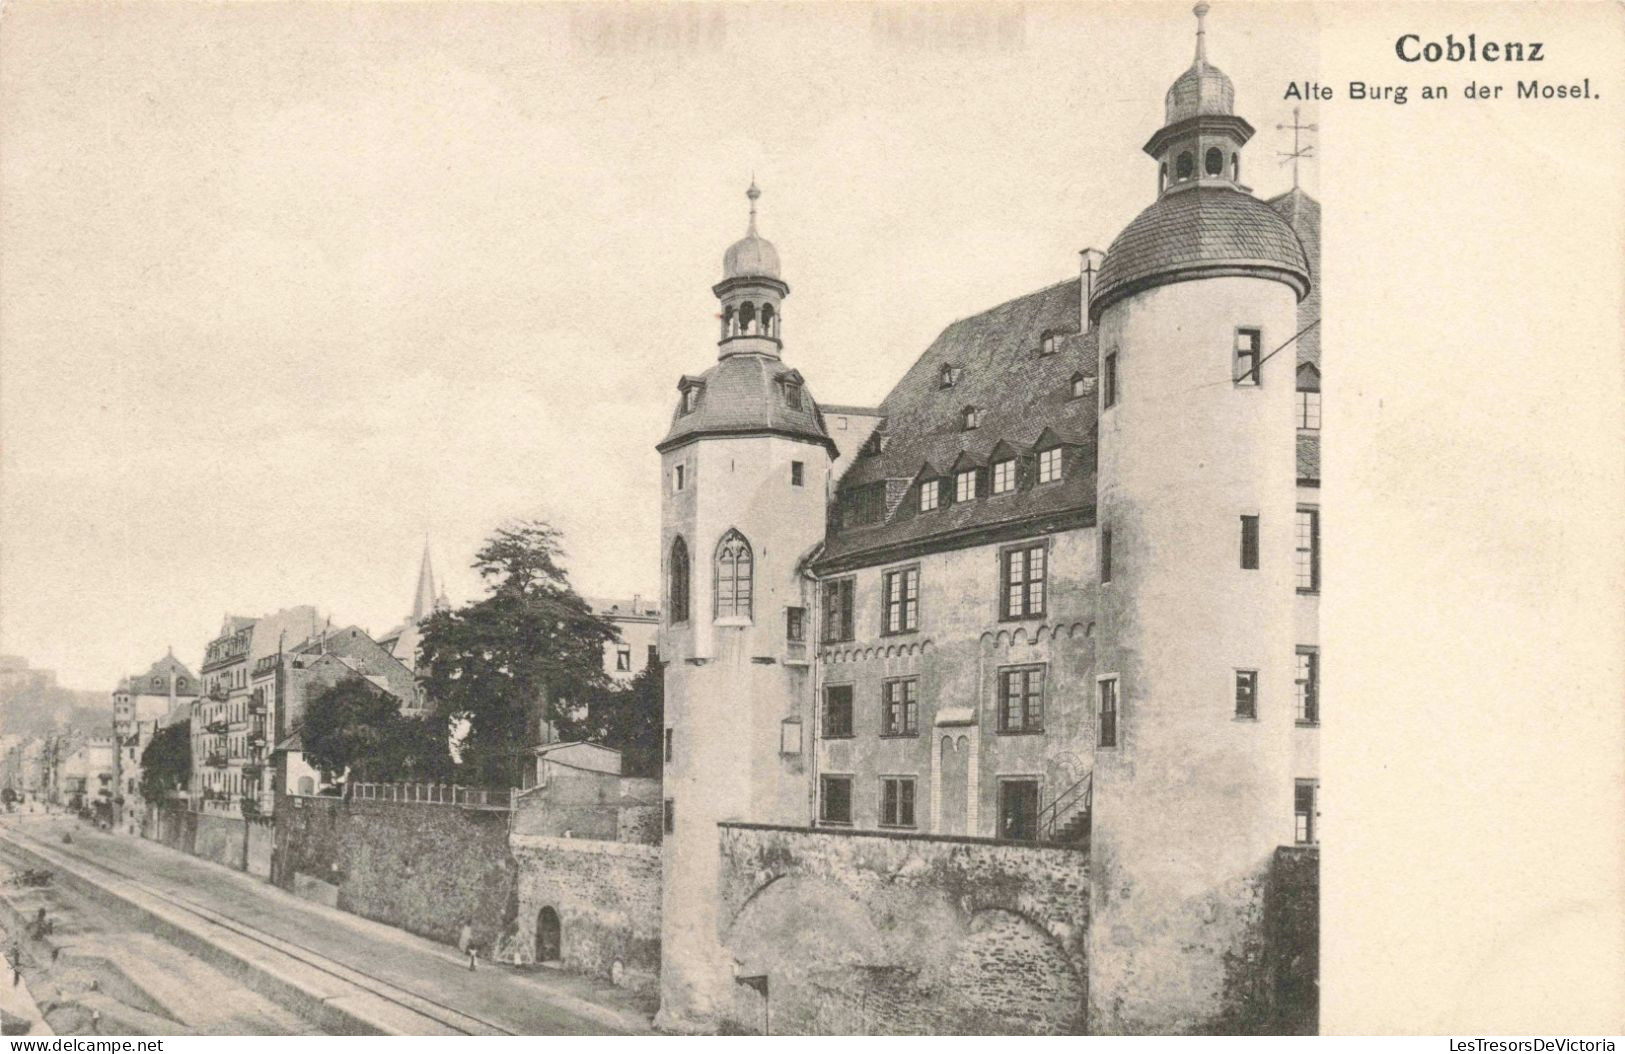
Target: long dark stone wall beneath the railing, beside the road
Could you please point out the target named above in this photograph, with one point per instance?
(423, 868)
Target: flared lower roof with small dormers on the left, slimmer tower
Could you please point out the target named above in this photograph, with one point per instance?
(743, 394)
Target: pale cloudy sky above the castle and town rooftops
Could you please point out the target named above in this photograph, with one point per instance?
(287, 292)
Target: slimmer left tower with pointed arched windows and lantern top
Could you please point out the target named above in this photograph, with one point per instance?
(745, 480)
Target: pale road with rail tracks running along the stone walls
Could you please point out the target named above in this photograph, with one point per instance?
(347, 961)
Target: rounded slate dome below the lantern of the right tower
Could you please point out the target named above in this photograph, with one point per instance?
(1197, 233)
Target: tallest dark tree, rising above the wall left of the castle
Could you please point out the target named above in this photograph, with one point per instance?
(527, 654)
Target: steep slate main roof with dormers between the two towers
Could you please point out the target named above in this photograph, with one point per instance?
(1021, 397)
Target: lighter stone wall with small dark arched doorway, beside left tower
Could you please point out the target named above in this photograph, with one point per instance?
(605, 897)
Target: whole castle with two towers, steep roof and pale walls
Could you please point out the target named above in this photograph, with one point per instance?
(1060, 589)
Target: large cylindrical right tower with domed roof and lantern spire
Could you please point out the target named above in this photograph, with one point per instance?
(1195, 657)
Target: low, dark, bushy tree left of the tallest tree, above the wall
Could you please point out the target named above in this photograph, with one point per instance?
(357, 727)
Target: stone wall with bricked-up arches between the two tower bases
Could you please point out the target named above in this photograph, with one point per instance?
(903, 935)
